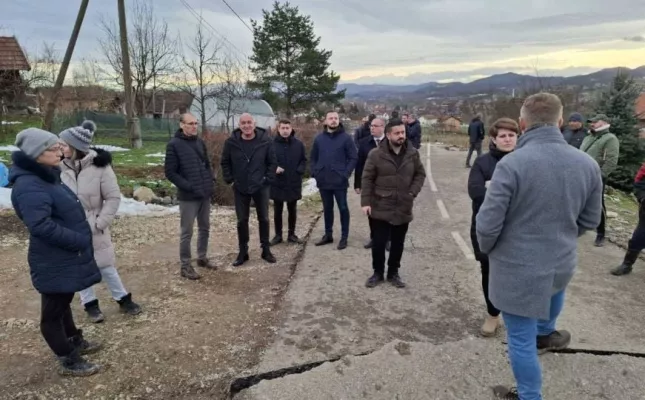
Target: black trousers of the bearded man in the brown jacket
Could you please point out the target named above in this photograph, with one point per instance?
(396, 234)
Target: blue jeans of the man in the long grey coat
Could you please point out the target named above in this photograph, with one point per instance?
(522, 347)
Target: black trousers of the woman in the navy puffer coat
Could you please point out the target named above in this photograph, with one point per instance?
(56, 322)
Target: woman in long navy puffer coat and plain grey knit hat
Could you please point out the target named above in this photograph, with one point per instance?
(61, 257)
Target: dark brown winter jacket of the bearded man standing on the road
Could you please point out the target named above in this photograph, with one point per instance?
(390, 188)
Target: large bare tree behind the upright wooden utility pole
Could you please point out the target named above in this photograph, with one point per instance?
(152, 51)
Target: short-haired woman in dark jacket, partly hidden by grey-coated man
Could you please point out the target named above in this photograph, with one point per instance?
(503, 134)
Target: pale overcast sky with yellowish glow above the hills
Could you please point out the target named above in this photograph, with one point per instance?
(392, 41)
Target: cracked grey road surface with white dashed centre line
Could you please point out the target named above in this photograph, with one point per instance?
(328, 314)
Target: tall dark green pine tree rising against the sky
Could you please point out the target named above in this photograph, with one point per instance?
(289, 69)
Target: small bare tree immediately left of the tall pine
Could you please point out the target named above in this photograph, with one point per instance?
(232, 91)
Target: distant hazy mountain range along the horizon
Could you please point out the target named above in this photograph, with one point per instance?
(495, 84)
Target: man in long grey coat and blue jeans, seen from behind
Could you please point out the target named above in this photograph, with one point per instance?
(541, 198)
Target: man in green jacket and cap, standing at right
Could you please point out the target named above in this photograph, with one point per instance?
(604, 147)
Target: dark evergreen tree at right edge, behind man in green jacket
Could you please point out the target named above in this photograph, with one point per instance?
(618, 104)
